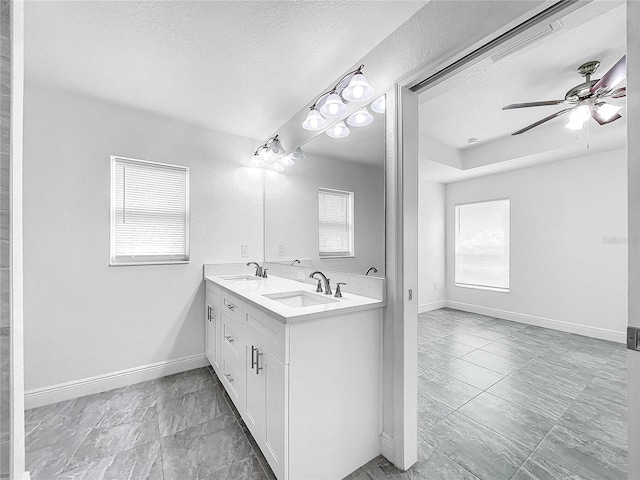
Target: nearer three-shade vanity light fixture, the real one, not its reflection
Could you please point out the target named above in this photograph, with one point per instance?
(353, 87)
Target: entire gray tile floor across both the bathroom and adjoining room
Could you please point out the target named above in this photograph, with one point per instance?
(497, 400)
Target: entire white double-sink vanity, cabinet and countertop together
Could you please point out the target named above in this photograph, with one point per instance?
(302, 368)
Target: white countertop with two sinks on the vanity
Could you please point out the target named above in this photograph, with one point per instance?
(254, 290)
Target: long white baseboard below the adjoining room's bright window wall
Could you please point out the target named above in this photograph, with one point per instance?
(595, 332)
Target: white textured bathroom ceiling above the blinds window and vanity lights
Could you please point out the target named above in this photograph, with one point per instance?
(243, 67)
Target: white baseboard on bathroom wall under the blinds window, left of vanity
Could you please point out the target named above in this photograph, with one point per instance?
(39, 397)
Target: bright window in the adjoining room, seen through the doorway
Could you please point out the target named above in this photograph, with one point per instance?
(482, 245)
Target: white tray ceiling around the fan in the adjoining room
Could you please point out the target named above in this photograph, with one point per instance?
(470, 103)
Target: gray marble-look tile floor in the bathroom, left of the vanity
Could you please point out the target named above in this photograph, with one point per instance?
(179, 427)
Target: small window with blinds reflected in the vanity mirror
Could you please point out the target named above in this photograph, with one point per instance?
(335, 223)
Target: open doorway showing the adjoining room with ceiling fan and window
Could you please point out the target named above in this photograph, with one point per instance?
(522, 259)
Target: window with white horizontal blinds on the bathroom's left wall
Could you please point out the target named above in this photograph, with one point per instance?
(149, 212)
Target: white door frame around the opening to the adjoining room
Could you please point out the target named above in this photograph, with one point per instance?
(406, 150)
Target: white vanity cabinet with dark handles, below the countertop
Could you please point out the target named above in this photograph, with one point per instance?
(308, 390)
